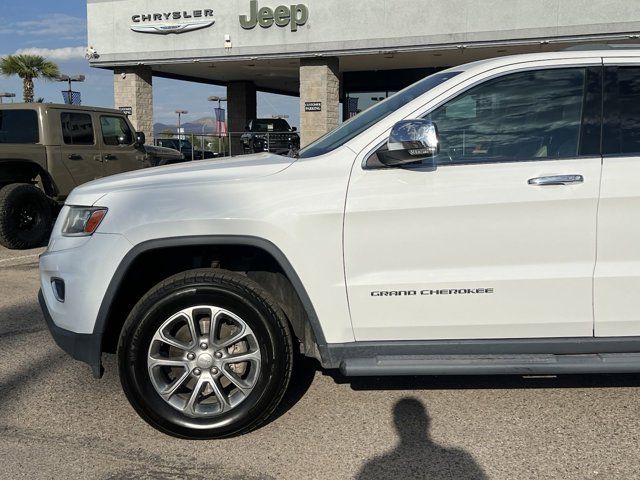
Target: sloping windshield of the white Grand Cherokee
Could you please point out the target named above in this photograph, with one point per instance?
(361, 122)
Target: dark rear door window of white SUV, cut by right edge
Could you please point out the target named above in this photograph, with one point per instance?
(622, 111)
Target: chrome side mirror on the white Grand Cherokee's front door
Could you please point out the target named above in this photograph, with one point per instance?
(410, 141)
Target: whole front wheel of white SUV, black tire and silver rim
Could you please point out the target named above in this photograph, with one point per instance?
(205, 354)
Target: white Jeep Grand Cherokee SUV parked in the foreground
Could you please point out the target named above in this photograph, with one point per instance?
(485, 220)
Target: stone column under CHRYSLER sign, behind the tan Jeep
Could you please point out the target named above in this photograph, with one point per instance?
(133, 88)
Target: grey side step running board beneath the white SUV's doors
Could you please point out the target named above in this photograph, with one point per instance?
(491, 364)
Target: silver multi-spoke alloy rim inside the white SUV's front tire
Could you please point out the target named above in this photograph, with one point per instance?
(204, 361)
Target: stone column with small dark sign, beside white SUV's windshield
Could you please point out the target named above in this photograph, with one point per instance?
(319, 84)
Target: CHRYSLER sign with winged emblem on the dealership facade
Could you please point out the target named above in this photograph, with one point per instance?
(165, 22)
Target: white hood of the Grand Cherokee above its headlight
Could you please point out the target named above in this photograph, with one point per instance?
(199, 172)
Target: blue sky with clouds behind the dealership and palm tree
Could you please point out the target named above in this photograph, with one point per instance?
(57, 30)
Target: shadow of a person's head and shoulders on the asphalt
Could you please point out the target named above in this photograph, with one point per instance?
(417, 456)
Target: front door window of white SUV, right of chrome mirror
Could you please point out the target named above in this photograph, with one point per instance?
(535, 115)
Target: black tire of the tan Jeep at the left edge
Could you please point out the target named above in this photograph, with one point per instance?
(25, 216)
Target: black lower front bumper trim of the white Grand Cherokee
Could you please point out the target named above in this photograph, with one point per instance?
(85, 347)
